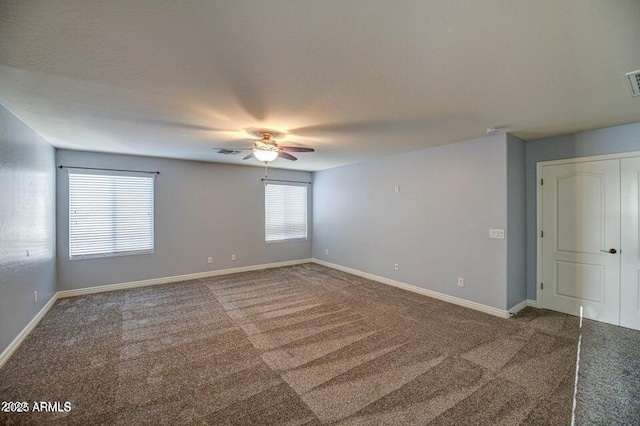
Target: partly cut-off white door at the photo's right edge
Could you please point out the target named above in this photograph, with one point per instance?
(630, 253)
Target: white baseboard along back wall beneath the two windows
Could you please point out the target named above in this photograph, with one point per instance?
(177, 278)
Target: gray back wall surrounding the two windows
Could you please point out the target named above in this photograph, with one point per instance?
(201, 209)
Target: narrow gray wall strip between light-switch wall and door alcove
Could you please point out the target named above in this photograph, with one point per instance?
(516, 222)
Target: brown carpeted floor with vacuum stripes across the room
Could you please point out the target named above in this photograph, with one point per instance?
(311, 345)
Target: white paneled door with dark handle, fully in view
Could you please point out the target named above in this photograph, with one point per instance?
(581, 224)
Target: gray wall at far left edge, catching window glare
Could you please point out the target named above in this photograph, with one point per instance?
(27, 225)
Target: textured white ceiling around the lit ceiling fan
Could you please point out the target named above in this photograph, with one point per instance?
(353, 79)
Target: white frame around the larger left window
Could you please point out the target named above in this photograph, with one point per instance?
(99, 172)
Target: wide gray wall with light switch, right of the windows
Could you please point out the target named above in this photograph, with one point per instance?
(436, 228)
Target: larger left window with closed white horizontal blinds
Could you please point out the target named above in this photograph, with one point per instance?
(110, 214)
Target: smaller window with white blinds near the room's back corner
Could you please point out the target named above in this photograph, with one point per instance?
(285, 212)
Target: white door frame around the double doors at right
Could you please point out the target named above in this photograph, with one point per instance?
(539, 166)
